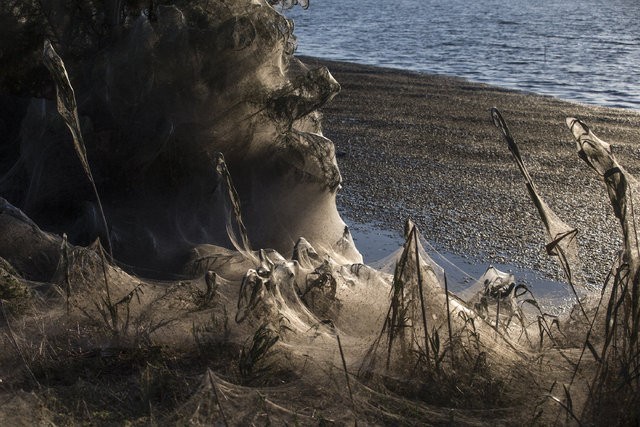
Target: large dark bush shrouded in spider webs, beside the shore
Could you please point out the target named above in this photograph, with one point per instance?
(155, 107)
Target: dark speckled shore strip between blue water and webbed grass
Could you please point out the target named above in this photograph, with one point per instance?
(424, 147)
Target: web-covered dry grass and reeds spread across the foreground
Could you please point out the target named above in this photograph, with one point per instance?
(101, 346)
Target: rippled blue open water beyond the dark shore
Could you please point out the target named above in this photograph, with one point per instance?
(581, 50)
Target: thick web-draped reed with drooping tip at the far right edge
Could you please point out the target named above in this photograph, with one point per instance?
(615, 387)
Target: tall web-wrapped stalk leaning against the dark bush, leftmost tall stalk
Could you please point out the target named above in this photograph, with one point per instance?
(68, 109)
